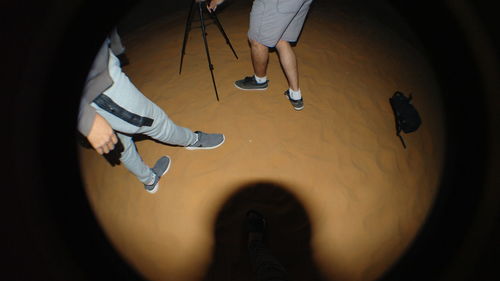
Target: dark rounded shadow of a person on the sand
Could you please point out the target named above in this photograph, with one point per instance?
(288, 234)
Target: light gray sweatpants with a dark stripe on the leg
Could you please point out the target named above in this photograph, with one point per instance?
(129, 112)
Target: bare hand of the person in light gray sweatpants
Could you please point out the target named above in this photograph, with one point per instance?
(101, 135)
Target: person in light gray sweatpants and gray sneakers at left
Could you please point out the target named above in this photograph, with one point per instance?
(112, 108)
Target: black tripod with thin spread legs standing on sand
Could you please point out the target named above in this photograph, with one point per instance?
(201, 6)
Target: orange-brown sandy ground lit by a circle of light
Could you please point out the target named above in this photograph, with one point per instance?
(344, 199)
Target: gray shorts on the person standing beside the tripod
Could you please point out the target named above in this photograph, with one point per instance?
(274, 20)
